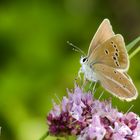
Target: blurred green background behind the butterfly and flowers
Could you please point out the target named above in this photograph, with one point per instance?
(36, 62)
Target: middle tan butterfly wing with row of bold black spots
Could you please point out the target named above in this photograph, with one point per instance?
(112, 53)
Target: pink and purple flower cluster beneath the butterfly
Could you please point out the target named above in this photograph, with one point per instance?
(81, 115)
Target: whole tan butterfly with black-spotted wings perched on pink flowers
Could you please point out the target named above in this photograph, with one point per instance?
(107, 62)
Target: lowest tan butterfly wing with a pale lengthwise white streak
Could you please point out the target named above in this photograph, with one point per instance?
(116, 82)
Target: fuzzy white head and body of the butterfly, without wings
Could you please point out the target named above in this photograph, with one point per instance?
(88, 70)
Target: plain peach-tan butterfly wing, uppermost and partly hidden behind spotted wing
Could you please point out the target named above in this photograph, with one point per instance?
(103, 33)
